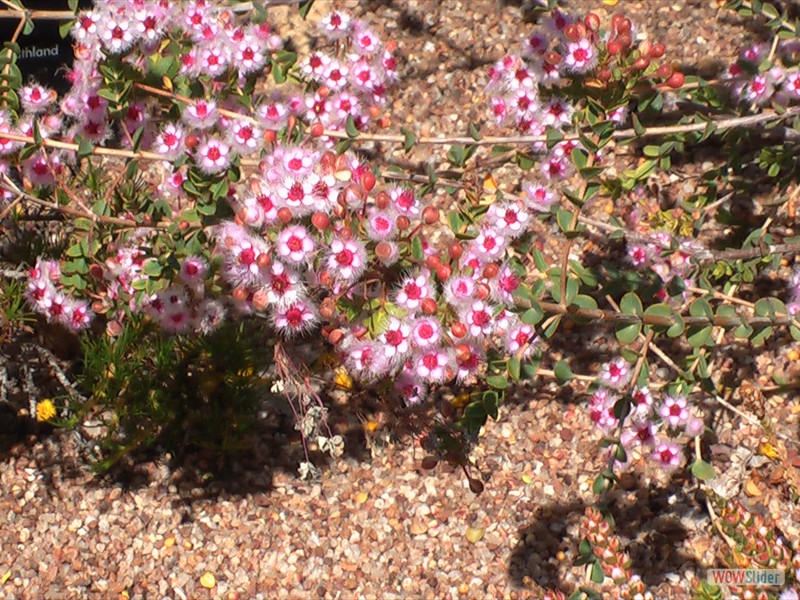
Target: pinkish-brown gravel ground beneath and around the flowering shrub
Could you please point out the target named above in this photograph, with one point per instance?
(375, 526)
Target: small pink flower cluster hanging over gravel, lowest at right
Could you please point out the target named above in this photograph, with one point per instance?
(652, 428)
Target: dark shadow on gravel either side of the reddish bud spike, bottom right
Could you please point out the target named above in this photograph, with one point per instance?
(650, 526)
